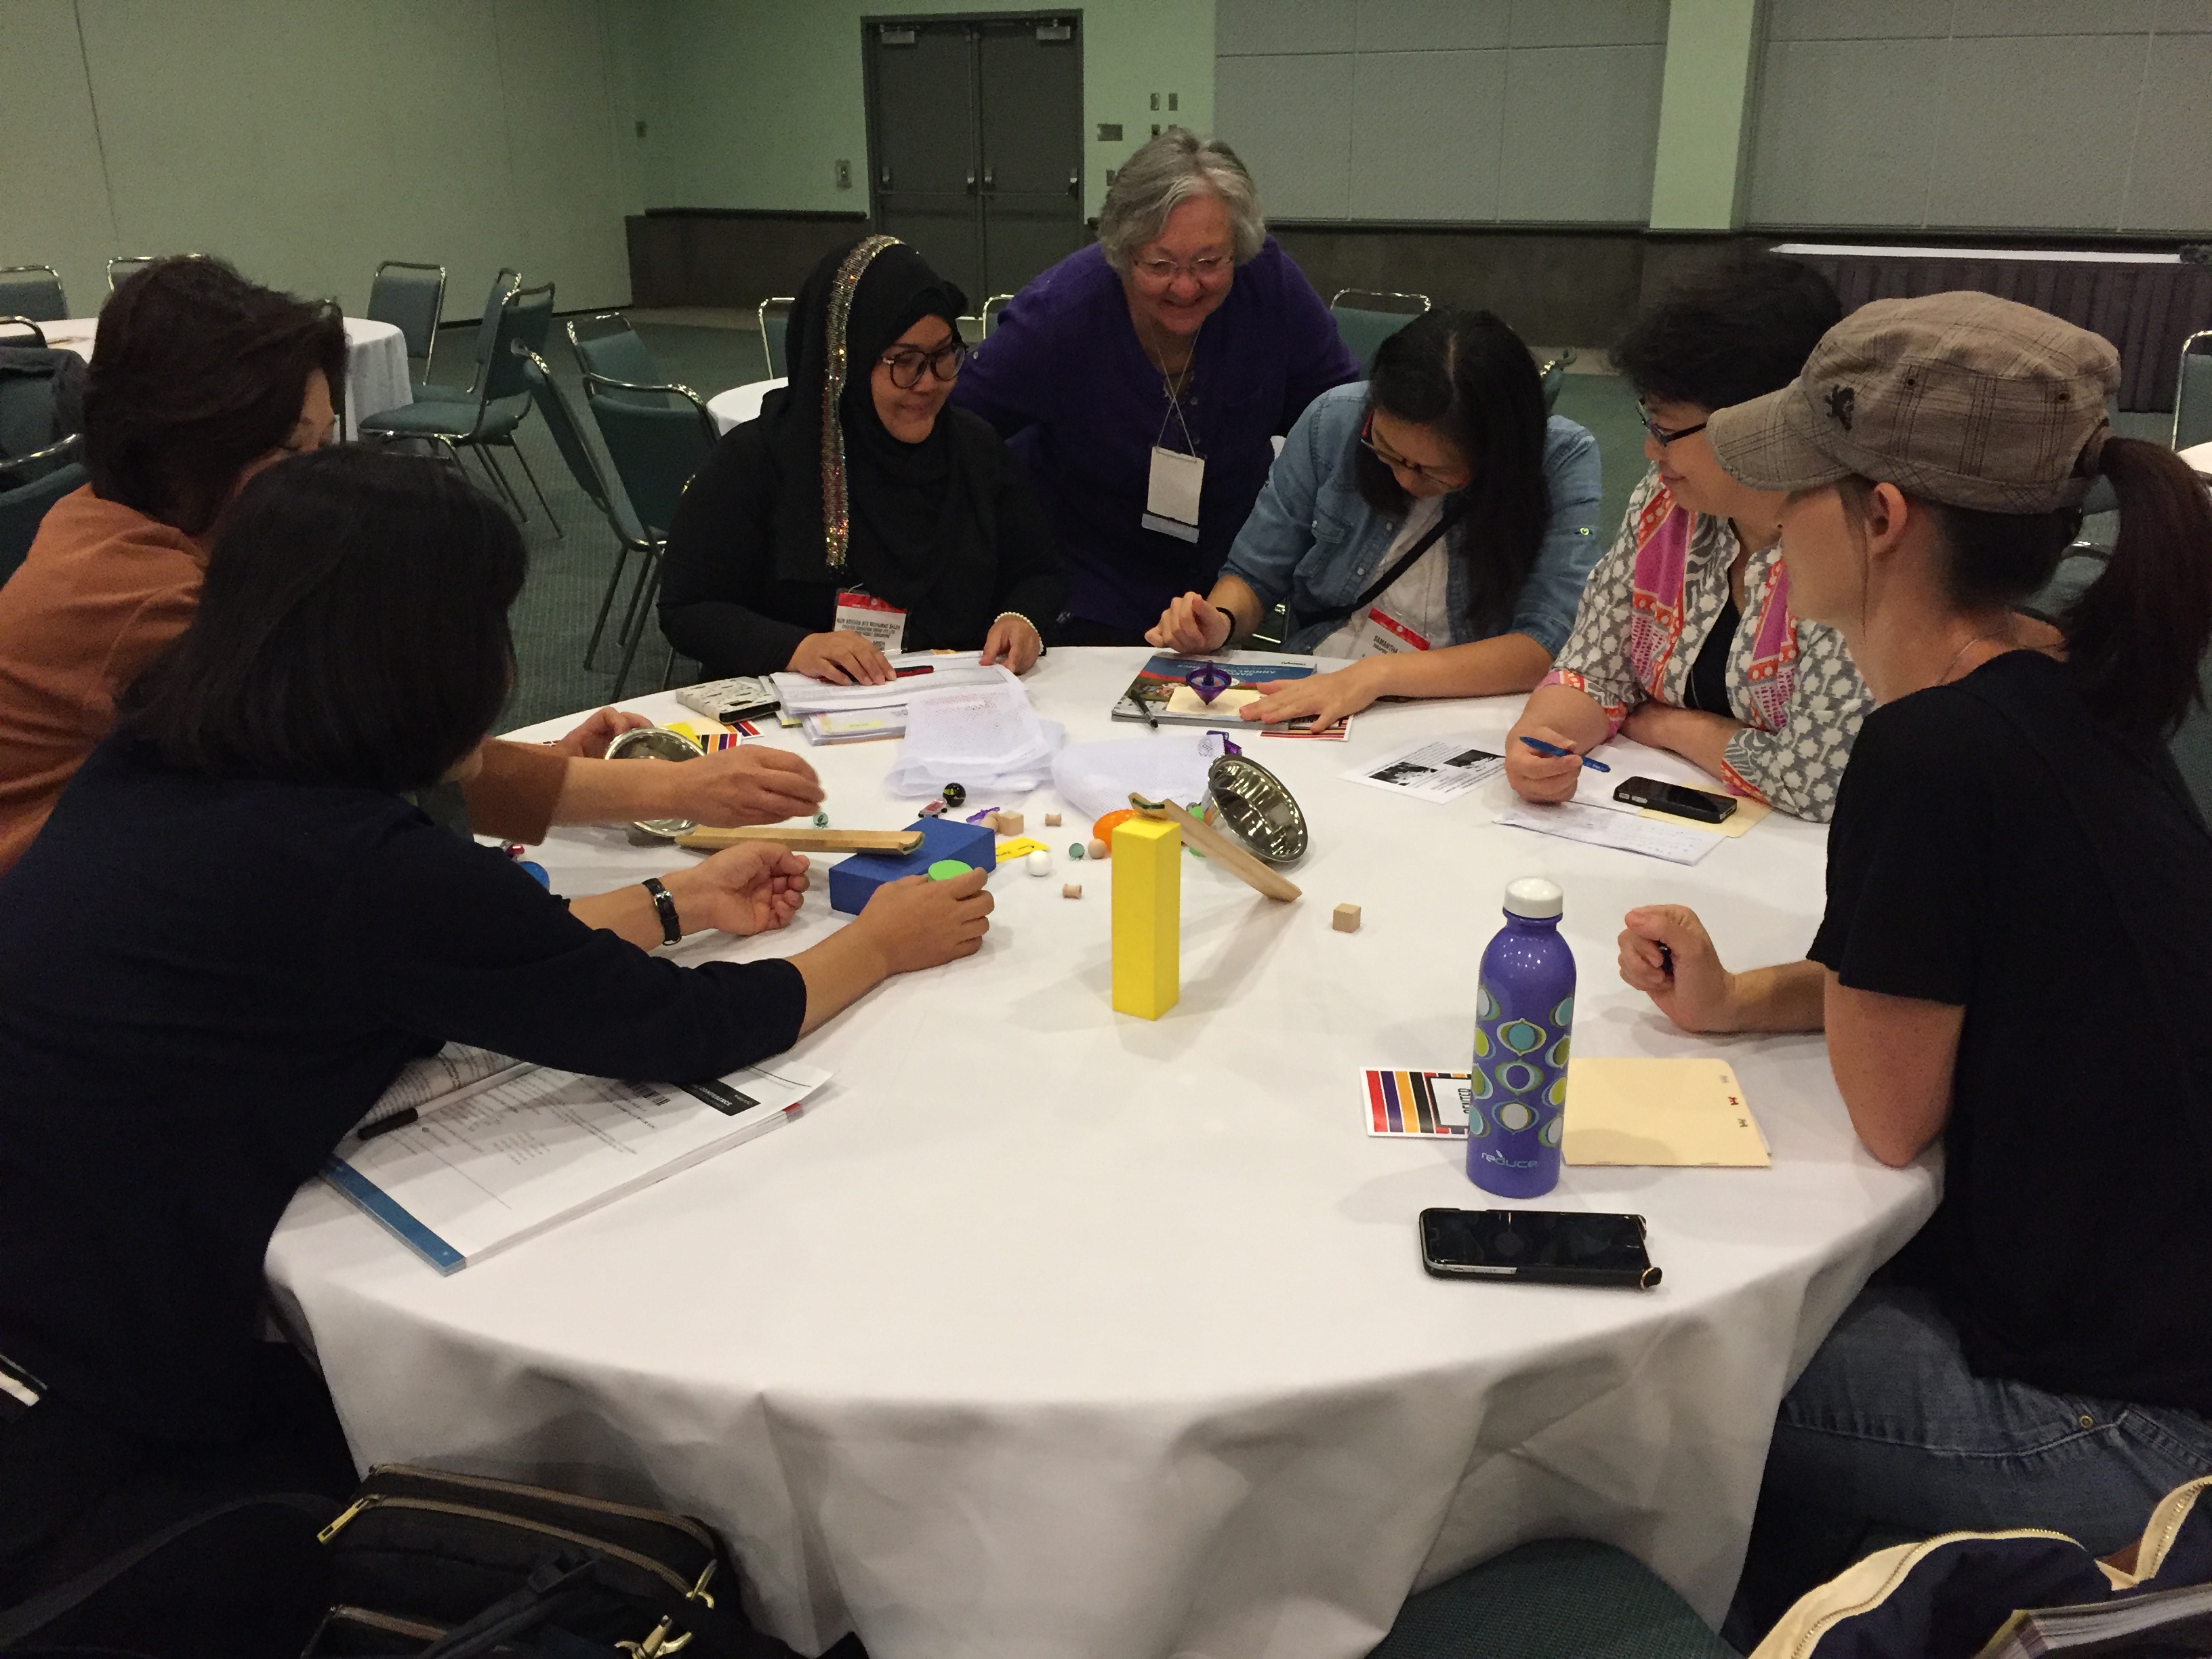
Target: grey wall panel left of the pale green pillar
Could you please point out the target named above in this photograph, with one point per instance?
(1465, 112)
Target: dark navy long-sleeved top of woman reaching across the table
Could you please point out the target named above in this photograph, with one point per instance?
(202, 988)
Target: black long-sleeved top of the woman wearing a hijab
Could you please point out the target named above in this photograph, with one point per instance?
(729, 605)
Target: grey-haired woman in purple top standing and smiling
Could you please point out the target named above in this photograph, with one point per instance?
(1142, 379)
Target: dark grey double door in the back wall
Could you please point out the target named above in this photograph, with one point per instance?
(974, 138)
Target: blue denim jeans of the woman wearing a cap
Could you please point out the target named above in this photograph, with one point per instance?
(1890, 1426)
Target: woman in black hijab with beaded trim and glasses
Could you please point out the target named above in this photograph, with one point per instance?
(862, 492)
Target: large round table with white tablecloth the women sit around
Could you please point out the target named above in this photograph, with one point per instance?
(1056, 1333)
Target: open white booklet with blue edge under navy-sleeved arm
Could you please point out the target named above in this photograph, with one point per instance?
(472, 1151)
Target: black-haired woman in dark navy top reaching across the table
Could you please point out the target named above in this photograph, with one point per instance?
(236, 932)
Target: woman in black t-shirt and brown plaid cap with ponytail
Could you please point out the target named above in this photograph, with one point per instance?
(2018, 941)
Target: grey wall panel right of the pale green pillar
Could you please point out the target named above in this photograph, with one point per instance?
(1985, 116)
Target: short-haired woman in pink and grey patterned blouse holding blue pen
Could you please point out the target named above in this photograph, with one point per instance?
(1684, 638)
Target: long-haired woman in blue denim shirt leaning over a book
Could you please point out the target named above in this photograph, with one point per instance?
(1446, 457)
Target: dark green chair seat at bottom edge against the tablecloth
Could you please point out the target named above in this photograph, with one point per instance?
(1552, 1600)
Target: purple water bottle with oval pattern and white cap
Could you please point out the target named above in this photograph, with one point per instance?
(1525, 1008)
